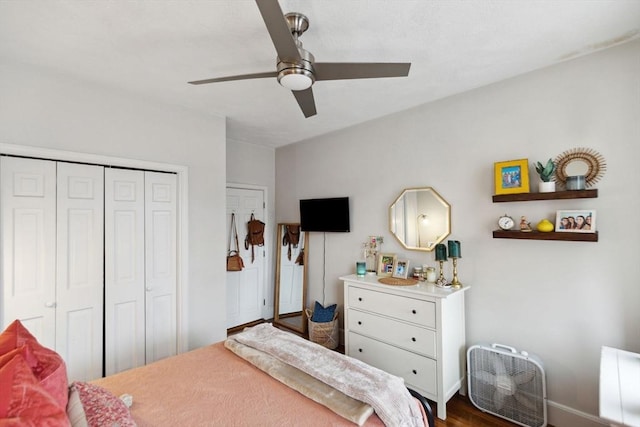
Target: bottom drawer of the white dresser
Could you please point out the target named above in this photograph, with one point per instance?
(417, 371)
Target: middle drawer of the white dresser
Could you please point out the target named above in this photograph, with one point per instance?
(405, 335)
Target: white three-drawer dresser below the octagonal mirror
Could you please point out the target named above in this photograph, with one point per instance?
(415, 332)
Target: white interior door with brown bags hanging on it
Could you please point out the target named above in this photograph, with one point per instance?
(245, 295)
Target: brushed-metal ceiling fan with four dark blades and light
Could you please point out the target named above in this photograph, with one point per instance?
(296, 67)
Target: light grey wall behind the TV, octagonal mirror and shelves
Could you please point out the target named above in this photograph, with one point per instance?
(559, 300)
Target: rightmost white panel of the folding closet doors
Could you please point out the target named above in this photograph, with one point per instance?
(160, 265)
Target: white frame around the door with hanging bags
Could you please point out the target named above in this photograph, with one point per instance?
(268, 279)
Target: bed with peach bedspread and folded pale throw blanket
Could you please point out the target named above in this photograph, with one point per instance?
(233, 383)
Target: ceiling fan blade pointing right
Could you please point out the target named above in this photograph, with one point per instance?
(360, 70)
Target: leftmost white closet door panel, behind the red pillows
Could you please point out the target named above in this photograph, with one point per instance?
(28, 215)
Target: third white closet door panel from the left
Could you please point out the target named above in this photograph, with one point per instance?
(124, 270)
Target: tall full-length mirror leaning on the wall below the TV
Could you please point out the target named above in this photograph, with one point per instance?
(291, 277)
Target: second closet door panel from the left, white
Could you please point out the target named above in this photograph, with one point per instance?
(79, 279)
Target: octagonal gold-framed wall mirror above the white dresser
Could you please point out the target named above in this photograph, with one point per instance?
(420, 218)
